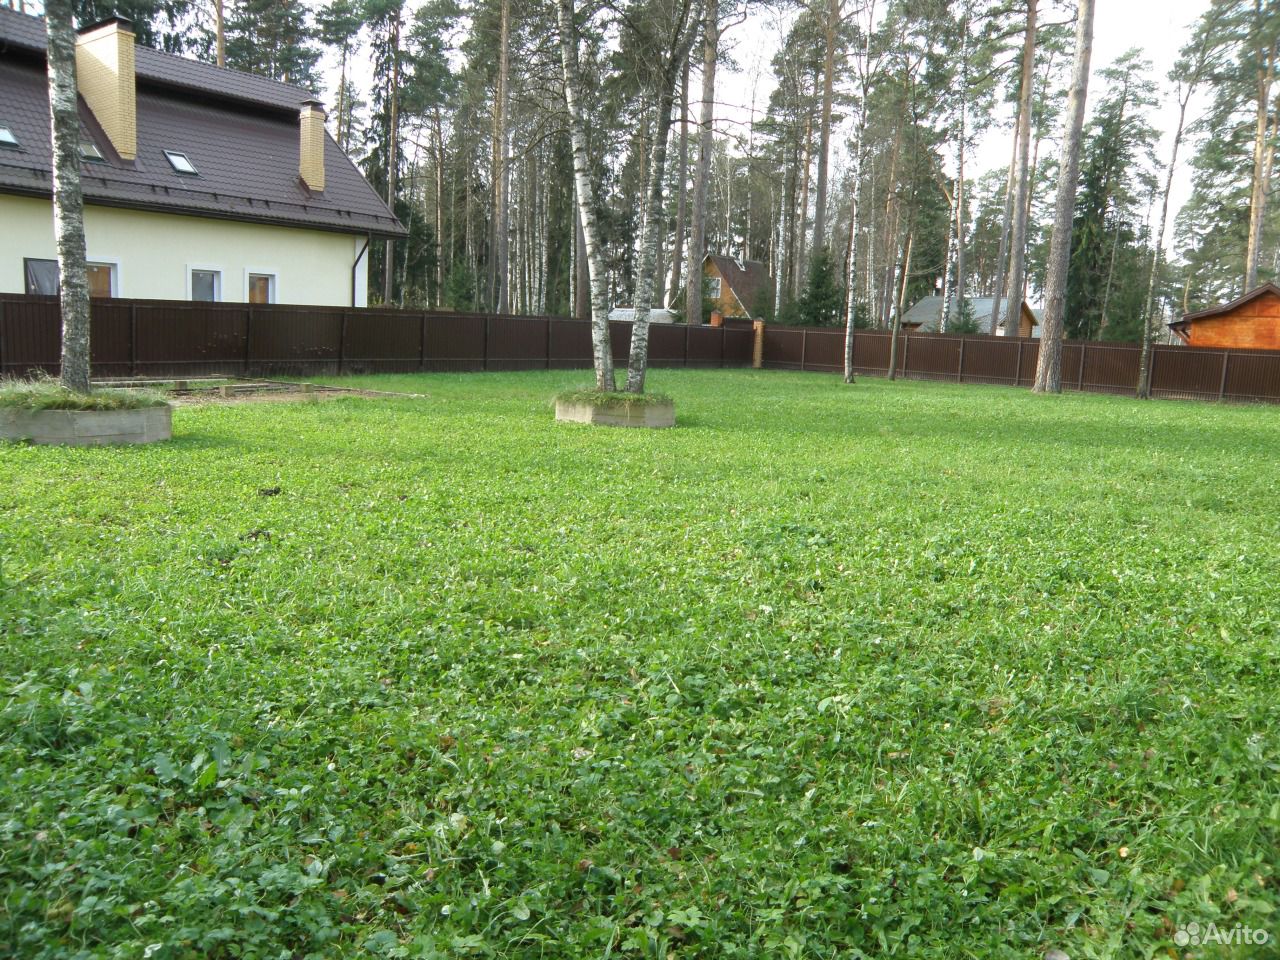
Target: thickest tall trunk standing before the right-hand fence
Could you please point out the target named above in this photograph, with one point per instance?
(1049, 367)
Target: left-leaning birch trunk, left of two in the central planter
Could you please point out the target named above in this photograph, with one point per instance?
(584, 193)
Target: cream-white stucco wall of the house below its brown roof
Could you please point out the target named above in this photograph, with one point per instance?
(156, 253)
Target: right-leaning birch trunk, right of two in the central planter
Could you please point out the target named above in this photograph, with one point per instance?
(652, 230)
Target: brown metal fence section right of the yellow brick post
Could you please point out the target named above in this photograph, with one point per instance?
(1098, 368)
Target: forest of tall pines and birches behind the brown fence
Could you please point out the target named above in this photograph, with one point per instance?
(853, 180)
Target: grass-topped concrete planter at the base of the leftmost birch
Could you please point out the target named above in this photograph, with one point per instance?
(45, 413)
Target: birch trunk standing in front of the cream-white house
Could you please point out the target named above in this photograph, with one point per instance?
(68, 200)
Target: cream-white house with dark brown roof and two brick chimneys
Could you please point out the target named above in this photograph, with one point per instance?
(200, 182)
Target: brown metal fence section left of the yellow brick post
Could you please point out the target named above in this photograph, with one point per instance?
(180, 339)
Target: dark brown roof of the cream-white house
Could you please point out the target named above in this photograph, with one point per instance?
(240, 131)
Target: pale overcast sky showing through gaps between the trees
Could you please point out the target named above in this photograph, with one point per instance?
(1158, 28)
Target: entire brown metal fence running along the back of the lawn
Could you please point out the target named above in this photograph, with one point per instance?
(180, 339)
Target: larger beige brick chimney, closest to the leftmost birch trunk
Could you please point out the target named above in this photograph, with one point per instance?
(104, 71)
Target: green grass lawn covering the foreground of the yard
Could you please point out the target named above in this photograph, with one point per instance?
(895, 670)
